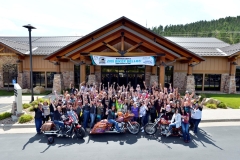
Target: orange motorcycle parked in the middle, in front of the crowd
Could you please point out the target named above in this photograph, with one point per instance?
(124, 123)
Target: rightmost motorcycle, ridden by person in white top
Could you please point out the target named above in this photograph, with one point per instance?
(163, 124)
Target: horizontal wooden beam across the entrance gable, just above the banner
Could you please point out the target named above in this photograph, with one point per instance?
(115, 54)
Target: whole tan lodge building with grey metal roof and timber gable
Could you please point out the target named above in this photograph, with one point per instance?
(122, 52)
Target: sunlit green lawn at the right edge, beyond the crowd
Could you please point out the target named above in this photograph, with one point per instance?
(231, 100)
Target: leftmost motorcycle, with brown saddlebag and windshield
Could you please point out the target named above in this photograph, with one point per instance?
(71, 126)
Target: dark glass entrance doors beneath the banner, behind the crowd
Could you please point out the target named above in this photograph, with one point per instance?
(123, 75)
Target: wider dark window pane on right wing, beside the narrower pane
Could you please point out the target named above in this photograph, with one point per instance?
(212, 82)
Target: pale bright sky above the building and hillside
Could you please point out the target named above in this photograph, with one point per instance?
(80, 17)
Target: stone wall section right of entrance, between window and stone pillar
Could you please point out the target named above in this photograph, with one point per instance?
(179, 80)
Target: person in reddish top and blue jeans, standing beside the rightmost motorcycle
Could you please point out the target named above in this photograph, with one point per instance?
(185, 126)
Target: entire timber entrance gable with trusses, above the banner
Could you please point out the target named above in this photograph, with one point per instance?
(123, 38)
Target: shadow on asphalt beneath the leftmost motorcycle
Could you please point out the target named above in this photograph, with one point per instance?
(60, 141)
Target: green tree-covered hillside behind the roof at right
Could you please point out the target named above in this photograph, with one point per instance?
(227, 29)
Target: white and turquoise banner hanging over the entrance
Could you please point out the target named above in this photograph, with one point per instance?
(117, 61)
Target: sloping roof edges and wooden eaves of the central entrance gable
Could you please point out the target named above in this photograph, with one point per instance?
(131, 28)
